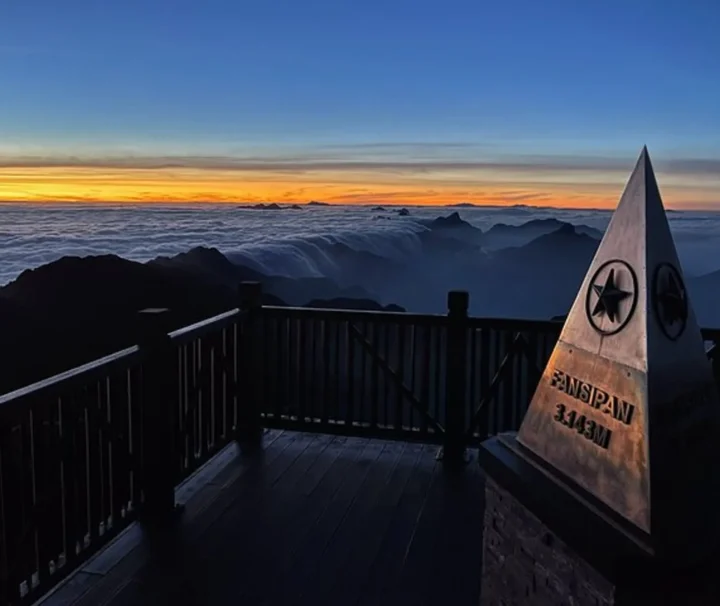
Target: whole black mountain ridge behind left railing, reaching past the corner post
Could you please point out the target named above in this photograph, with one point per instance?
(75, 310)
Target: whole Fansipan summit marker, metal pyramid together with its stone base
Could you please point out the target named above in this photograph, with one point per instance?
(609, 492)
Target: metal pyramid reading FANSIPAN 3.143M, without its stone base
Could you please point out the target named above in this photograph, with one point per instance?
(627, 408)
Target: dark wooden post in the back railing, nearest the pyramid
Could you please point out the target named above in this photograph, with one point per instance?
(454, 445)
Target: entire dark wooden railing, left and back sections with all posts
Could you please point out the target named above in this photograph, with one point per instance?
(87, 452)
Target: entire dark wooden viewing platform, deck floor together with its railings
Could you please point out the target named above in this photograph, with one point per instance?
(321, 456)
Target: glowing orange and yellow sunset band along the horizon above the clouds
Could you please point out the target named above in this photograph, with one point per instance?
(592, 188)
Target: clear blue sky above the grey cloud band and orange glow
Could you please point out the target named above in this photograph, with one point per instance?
(517, 77)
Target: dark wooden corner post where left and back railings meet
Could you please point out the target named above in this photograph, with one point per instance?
(249, 429)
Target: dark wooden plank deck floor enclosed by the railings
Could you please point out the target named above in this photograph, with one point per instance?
(313, 519)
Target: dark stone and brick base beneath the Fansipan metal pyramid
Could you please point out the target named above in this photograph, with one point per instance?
(544, 545)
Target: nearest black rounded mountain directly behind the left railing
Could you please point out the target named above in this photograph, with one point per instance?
(75, 310)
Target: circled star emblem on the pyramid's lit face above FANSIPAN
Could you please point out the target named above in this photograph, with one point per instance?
(611, 297)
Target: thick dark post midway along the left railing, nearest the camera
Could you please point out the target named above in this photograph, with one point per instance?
(159, 387)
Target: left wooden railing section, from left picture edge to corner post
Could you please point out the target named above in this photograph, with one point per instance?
(83, 454)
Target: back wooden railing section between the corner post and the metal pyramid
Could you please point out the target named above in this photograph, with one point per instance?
(413, 377)
